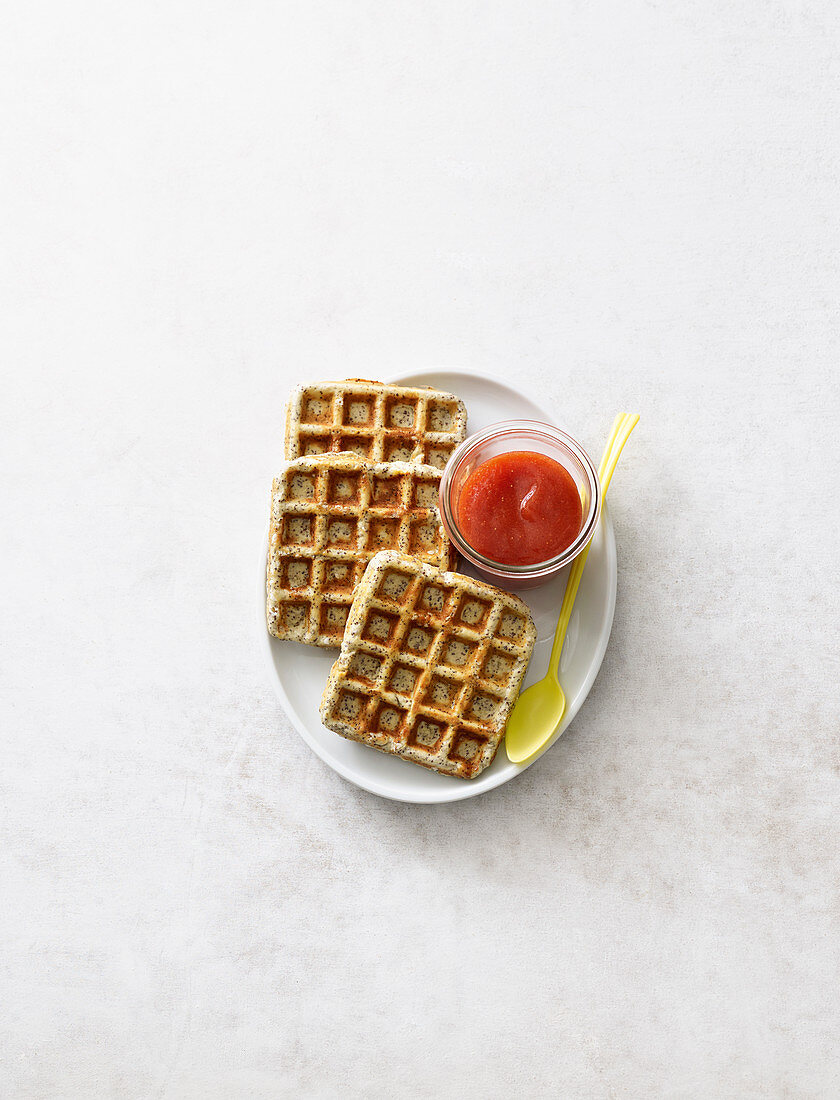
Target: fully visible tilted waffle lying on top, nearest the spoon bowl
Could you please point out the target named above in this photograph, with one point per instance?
(430, 666)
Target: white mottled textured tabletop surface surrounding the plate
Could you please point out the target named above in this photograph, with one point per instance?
(622, 204)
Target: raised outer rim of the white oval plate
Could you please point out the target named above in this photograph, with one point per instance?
(468, 789)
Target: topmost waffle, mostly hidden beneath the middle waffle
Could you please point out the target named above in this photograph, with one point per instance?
(379, 423)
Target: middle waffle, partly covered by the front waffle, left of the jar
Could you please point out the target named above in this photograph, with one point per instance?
(330, 515)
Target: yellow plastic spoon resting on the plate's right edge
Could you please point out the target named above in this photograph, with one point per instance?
(538, 710)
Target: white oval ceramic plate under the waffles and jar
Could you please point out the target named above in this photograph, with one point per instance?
(300, 673)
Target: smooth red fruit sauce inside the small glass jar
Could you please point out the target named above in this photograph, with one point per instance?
(521, 509)
